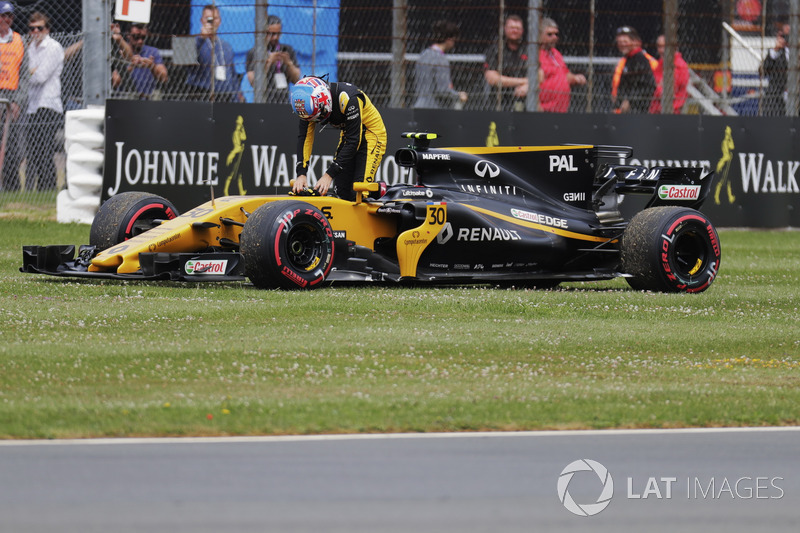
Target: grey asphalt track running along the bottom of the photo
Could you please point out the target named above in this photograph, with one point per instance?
(741, 480)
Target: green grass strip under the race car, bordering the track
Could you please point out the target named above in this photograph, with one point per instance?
(85, 359)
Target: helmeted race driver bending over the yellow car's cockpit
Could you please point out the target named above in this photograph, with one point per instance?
(362, 142)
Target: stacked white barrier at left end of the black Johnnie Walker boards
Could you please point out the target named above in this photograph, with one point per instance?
(83, 142)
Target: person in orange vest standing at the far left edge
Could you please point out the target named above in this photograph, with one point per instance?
(12, 51)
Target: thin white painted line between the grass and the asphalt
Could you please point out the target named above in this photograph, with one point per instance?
(391, 436)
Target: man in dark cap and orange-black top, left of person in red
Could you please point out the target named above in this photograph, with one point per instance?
(633, 84)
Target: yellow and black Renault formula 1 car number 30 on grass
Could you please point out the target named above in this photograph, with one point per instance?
(510, 216)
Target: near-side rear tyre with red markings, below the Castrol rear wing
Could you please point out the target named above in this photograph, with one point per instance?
(670, 249)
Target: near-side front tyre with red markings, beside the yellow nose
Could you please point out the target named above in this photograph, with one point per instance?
(287, 245)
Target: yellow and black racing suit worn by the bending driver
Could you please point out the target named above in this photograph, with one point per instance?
(362, 141)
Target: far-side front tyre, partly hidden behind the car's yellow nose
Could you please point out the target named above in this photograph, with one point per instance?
(126, 215)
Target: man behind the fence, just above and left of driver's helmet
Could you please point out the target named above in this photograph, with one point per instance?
(280, 66)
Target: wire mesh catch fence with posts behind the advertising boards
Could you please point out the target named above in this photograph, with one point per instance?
(378, 45)
